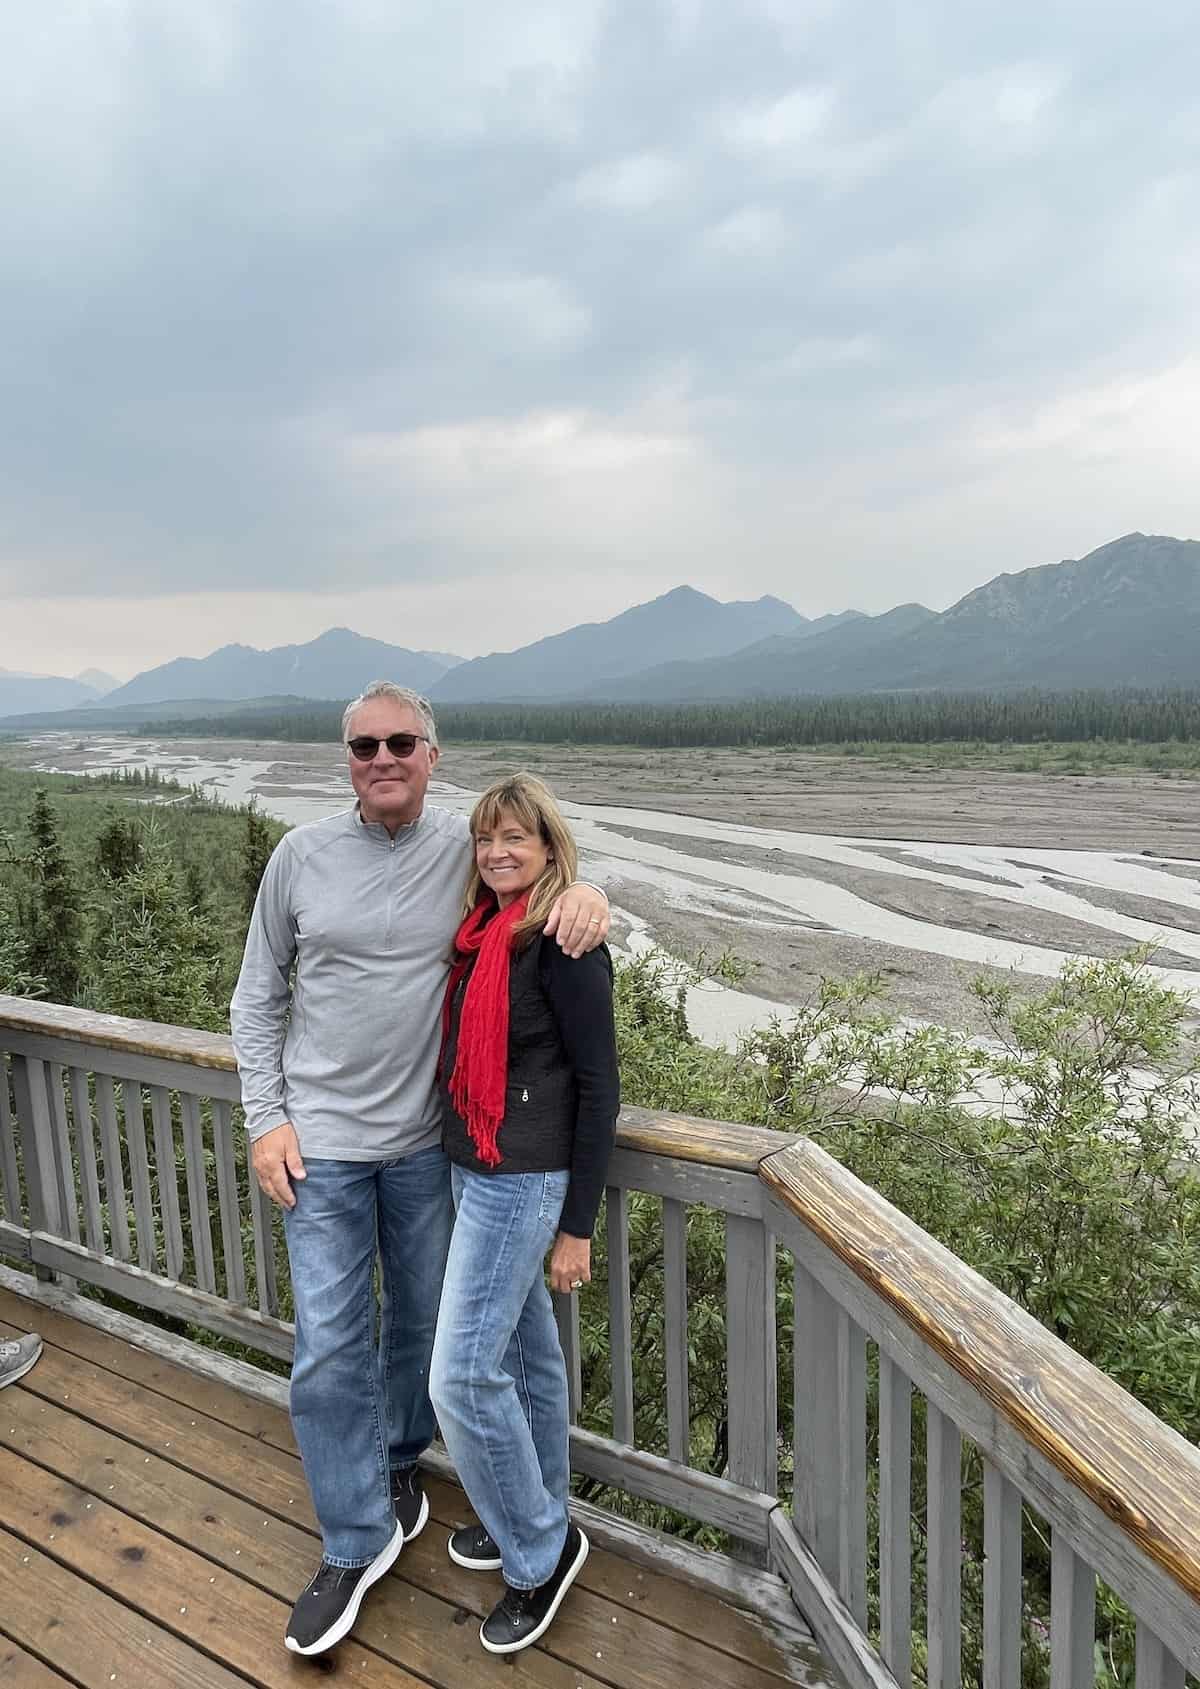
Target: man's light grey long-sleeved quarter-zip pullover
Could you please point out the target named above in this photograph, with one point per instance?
(347, 1048)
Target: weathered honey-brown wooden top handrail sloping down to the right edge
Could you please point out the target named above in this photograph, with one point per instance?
(1135, 1469)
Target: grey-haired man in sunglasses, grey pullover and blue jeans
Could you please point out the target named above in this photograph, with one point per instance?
(337, 1073)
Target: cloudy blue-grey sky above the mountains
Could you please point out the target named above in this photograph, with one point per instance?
(462, 323)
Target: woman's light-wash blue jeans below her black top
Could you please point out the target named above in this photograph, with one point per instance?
(498, 1379)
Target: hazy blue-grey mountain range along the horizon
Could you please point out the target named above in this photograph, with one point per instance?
(1125, 616)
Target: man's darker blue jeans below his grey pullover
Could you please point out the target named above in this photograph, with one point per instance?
(359, 1399)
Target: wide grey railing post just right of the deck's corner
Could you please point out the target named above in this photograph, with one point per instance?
(817, 1435)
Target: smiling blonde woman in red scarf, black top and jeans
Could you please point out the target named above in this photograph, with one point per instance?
(530, 1107)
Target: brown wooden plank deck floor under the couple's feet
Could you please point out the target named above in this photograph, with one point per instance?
(155, 1528)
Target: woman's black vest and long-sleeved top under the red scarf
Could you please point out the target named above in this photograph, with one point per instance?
(564, 1090)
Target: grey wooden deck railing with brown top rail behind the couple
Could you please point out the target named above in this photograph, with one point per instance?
(119, 1144)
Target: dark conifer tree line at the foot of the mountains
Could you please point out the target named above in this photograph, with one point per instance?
(873, 719)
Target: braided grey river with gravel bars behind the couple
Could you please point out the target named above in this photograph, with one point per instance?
(797, 904)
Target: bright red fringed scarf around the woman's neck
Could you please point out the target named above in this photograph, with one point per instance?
(477, 1085)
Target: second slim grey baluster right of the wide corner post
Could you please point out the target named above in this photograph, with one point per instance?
(895, 1507)
